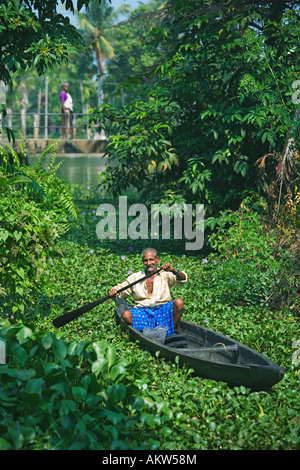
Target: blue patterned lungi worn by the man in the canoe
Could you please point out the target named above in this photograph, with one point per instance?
(152, 317)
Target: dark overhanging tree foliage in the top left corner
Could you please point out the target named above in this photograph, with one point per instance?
(35, 35)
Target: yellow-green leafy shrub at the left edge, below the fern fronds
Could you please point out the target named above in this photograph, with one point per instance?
(28, 237)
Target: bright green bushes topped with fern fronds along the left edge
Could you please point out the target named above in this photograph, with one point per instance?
(35, 210)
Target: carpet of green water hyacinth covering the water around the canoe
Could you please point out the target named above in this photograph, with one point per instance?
(90, 378)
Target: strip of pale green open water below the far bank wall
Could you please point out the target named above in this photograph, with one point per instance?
(83, 170)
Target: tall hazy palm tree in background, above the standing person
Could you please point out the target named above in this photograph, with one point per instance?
(98, 24)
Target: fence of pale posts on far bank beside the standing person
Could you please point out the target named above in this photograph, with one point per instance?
(49, 126)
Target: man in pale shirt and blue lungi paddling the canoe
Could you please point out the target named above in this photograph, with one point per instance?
(152, 296)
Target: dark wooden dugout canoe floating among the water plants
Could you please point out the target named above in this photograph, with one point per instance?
(211, 355)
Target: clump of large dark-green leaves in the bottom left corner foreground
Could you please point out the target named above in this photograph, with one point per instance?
(69, 395)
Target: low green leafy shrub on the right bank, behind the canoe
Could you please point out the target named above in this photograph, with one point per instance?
(247, 265)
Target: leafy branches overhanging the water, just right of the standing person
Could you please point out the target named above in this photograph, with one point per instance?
(139, 149)
